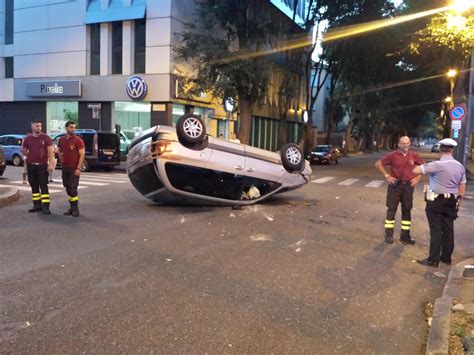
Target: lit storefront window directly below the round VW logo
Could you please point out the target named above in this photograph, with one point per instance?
(133, 117)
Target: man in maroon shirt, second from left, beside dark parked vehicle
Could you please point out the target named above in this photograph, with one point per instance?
(71, 152)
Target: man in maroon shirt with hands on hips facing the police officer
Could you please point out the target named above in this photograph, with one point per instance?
(401, 183)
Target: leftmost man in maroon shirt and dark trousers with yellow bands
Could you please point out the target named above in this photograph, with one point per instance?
(38, 149)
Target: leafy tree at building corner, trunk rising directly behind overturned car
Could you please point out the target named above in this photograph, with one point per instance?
(220, 42)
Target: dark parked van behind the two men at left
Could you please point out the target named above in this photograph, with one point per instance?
(102, 148)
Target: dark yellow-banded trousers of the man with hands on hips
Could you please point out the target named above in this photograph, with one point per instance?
(403, 194)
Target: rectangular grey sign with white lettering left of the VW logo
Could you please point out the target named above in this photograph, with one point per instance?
(60, 88)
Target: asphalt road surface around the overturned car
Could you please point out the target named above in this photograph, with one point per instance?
(306, 272)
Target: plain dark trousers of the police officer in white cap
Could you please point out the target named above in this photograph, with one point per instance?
(441, 214)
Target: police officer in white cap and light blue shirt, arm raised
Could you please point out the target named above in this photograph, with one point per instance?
(445, 194)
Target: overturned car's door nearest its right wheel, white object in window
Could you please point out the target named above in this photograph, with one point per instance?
(263, 171)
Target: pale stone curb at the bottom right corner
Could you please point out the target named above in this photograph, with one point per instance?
(438, 338)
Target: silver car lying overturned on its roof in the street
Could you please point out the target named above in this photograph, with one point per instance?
(184, 165)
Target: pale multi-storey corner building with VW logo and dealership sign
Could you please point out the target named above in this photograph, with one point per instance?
(104, 63)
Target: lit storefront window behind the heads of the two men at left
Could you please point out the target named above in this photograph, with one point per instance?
(58, 113)
